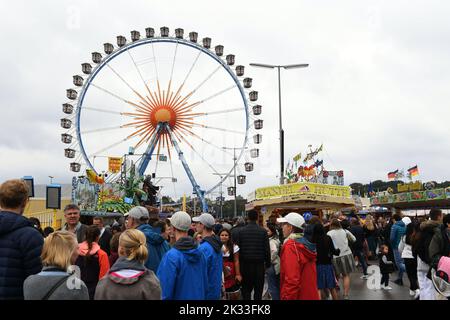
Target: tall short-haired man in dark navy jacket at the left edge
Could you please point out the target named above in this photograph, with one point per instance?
(20, 243)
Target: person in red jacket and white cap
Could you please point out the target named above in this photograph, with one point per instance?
(298, 275)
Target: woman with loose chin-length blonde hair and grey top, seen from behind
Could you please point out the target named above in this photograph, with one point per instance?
(55, 282)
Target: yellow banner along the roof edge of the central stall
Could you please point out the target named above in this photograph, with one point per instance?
(309, 188)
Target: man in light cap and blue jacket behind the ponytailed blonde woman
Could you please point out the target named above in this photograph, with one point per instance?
(137, 218)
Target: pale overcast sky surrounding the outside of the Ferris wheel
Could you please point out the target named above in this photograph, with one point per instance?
(376, 93)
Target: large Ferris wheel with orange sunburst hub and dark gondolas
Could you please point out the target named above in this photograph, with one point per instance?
(180, 105)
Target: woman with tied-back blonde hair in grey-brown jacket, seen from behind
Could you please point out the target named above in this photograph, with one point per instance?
(128, 279)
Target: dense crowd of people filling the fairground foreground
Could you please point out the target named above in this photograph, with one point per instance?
(300, 257)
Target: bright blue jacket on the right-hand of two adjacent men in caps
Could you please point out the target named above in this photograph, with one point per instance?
(212, 249)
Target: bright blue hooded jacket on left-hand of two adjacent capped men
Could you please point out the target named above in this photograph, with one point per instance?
(183, 272)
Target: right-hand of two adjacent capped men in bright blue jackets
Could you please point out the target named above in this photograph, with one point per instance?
(211, 246)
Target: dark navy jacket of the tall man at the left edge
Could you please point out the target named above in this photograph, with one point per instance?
(20, 253)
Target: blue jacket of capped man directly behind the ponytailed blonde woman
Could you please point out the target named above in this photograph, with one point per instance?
(157, 246)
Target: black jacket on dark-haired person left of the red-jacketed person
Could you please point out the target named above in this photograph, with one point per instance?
(253, 243)
